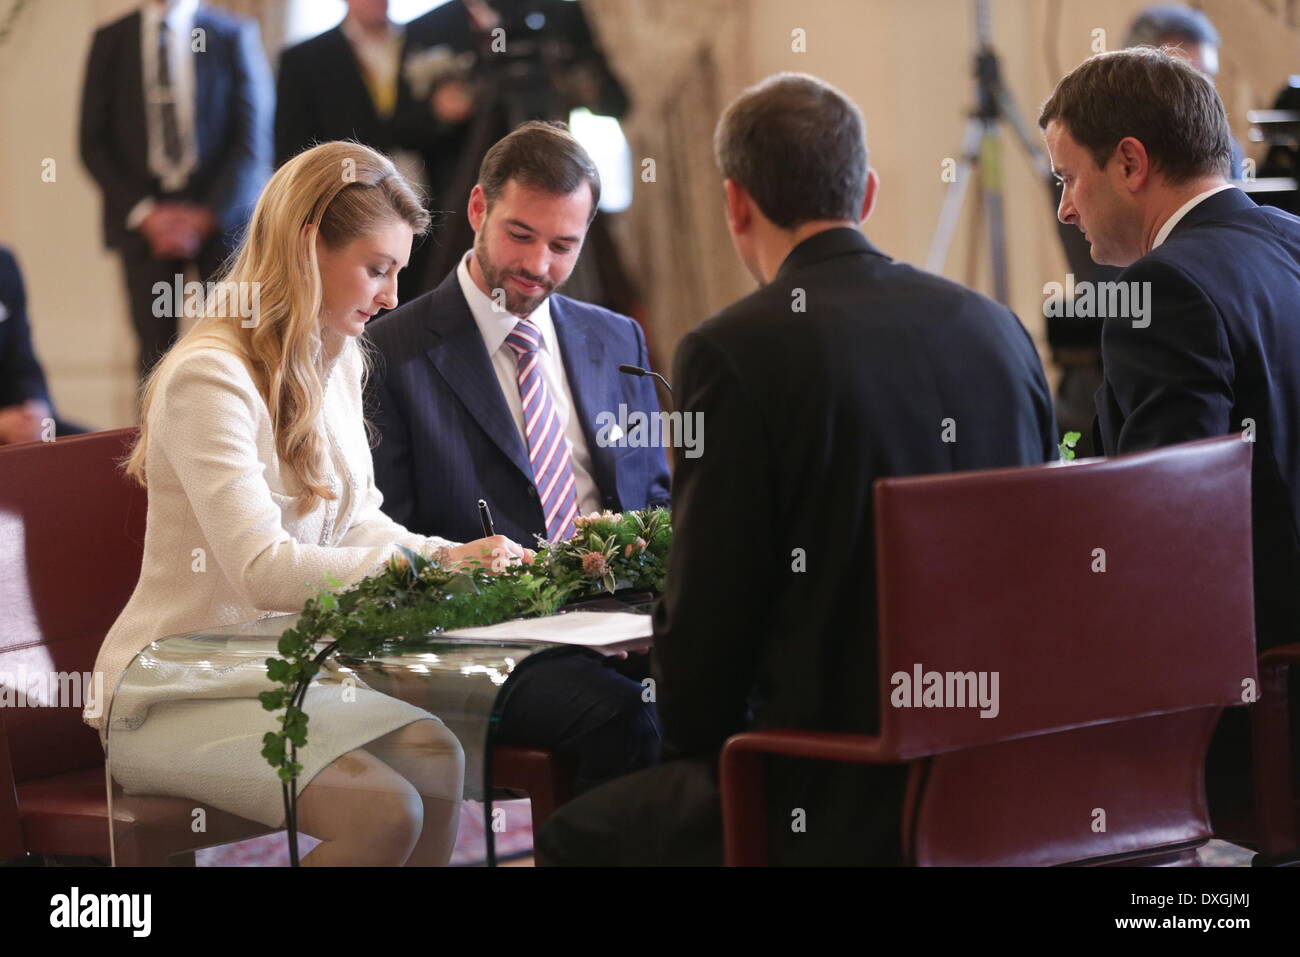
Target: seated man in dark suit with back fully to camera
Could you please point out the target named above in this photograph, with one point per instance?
(843, 369)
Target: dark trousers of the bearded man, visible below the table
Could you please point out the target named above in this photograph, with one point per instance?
(586, 708)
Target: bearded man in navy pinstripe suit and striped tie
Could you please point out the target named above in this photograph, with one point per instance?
(491, 387)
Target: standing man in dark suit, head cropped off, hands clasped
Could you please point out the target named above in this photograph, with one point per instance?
(176, 131)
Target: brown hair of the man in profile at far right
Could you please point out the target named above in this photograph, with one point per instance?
(1152, 97)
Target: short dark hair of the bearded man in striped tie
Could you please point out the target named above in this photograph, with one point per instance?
(541, 155)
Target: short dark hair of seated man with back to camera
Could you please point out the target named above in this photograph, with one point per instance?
(799, 149)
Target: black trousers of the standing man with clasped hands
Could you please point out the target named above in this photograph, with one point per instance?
(154, 334)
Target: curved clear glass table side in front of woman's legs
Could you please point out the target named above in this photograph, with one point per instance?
(380, 782)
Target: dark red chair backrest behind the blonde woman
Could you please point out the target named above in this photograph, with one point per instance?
(72, 538)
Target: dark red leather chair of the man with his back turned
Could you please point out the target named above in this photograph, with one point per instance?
(1111, 682)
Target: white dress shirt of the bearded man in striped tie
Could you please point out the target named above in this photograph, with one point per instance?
(495, 326)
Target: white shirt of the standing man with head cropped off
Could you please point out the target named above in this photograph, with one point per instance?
(180, 20)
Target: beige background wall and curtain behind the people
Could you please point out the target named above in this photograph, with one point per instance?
(905, 62)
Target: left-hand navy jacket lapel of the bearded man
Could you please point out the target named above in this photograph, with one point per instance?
(461, 358)
